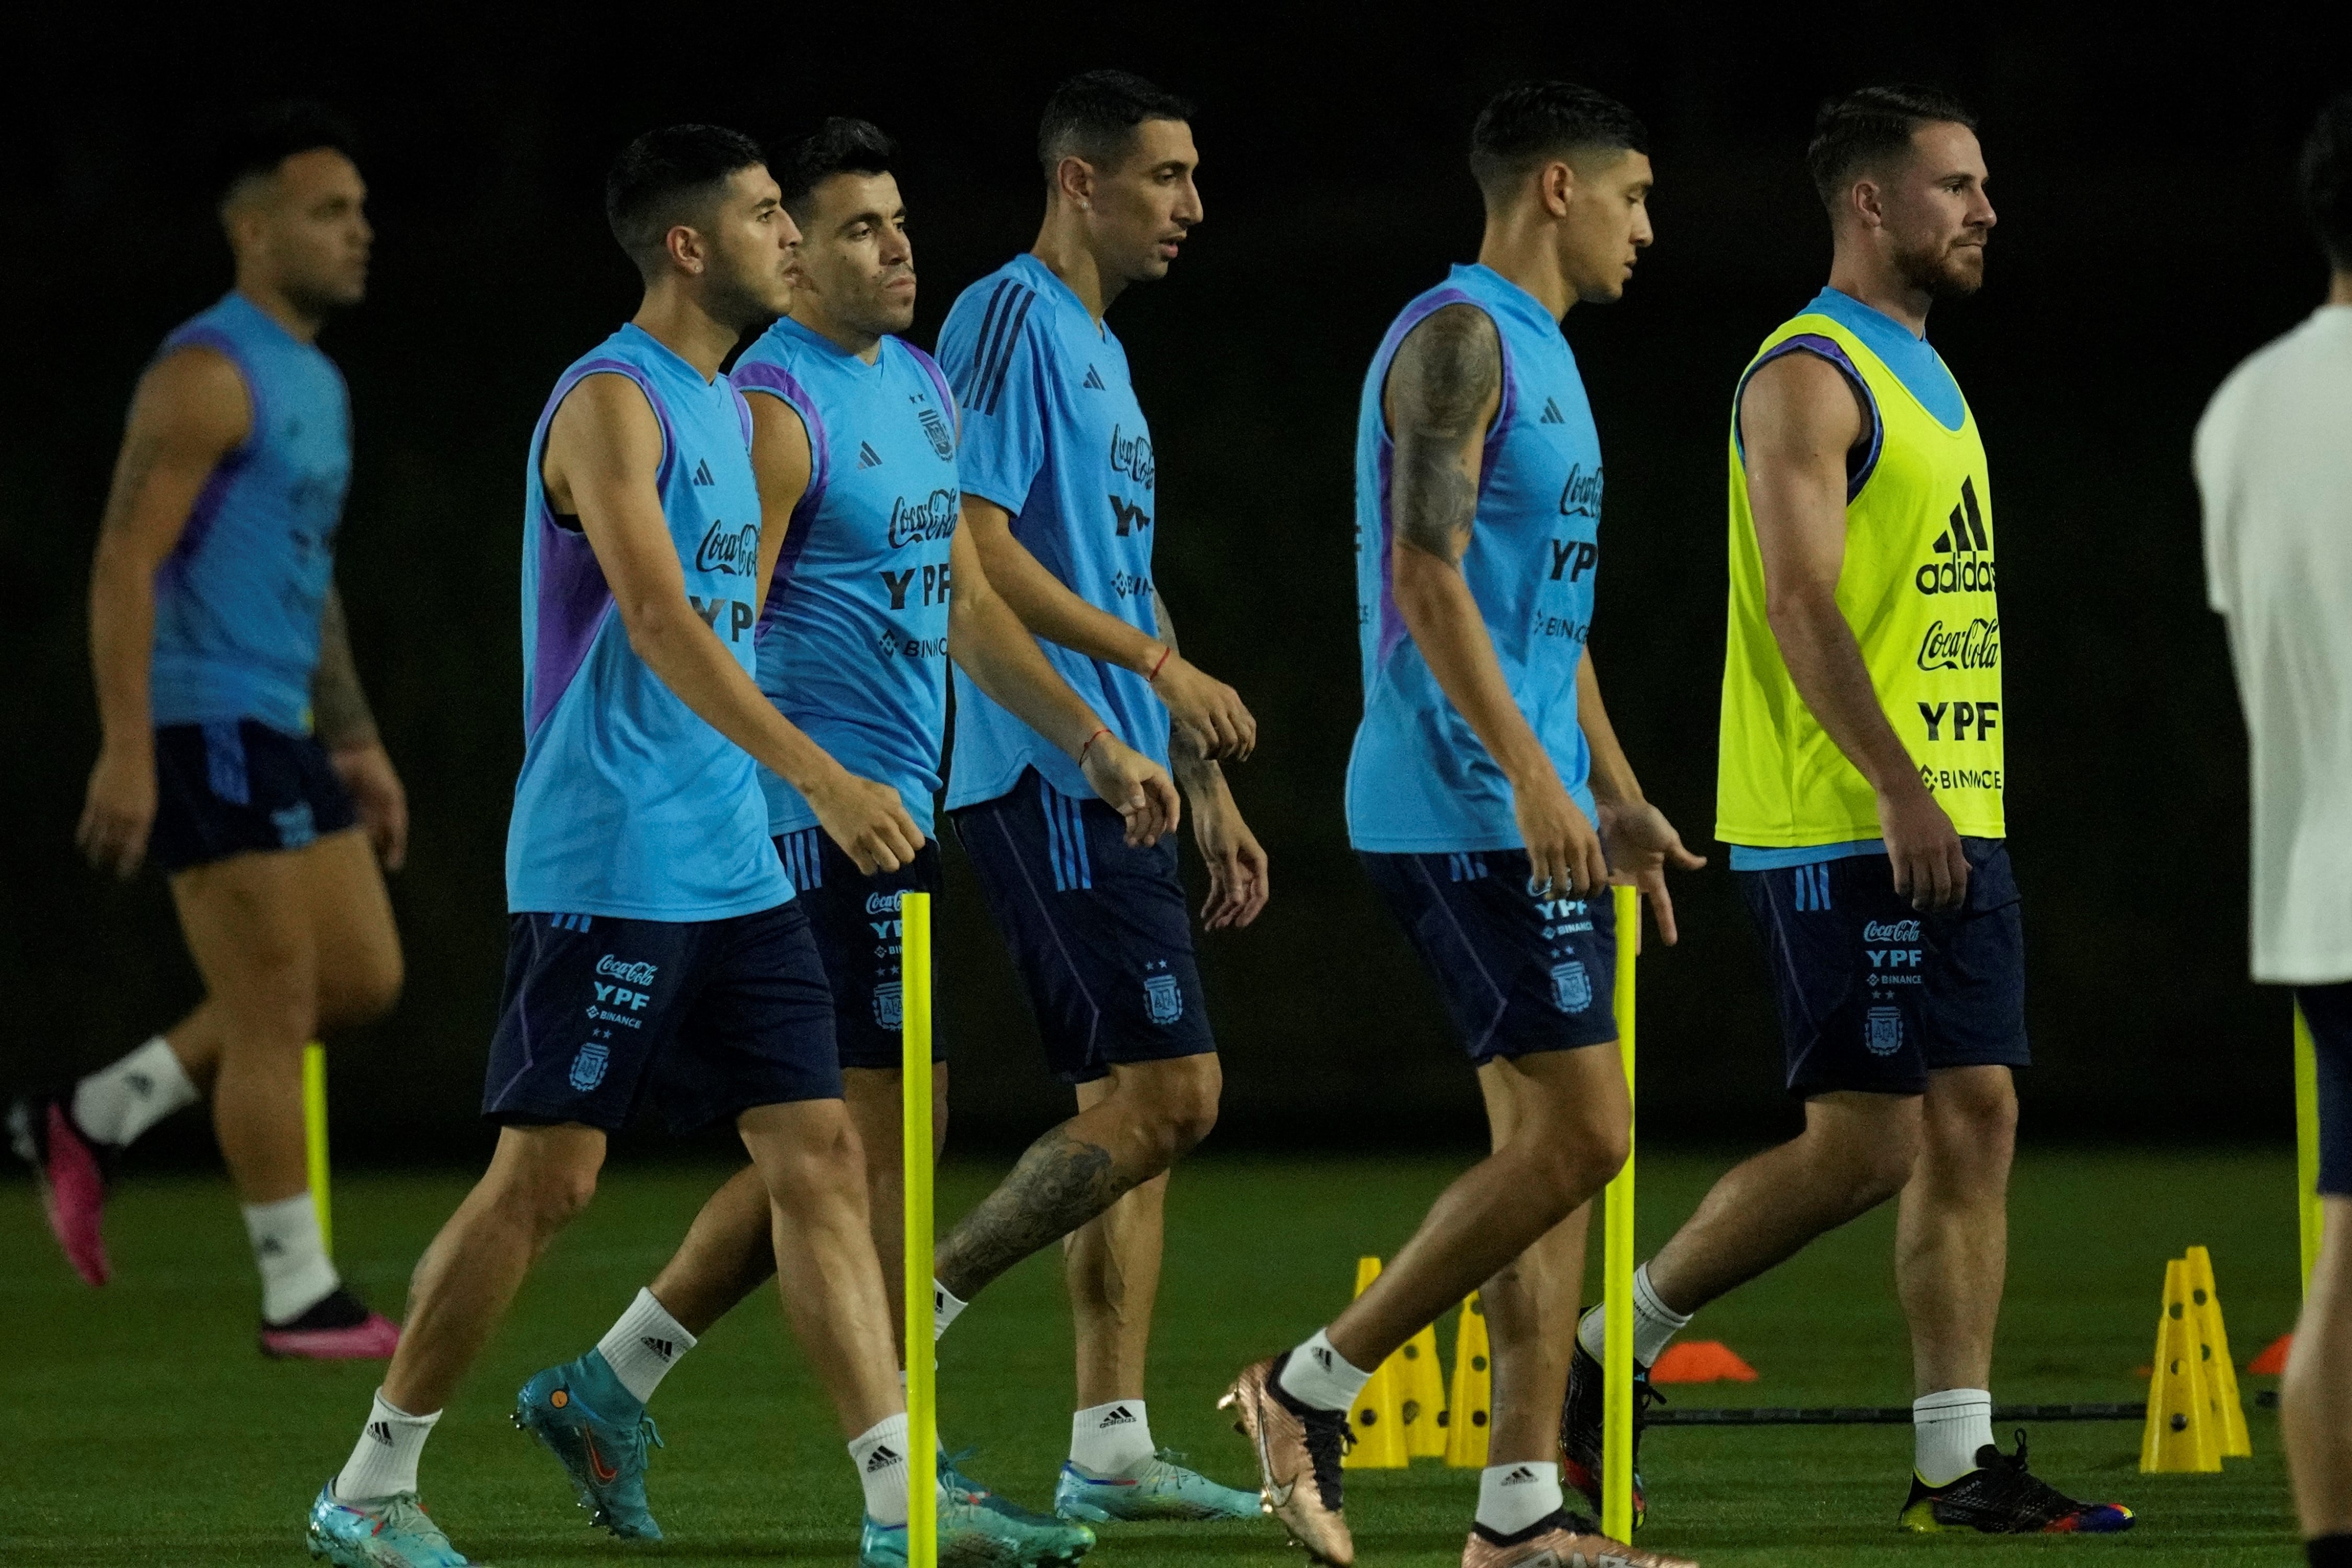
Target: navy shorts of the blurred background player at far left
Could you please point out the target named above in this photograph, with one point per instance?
(236, 786)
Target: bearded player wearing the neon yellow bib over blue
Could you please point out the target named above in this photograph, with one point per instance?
(1862, 796)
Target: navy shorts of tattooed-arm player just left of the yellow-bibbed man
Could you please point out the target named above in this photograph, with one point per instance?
(1518, 974)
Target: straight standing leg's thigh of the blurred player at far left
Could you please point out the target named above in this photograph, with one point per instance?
(253, 942)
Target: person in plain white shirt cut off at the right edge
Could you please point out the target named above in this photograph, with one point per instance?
(2276, 474)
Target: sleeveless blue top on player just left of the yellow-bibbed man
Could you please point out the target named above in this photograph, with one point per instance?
(1419, 779)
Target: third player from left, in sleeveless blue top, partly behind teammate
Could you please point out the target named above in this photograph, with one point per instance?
(855, 441)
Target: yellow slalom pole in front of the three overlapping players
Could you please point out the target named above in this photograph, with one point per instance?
(916, 1148)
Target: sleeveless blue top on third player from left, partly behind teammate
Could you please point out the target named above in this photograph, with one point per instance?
(855, 636)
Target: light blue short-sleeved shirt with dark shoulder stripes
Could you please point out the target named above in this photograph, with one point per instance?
(1057, 438)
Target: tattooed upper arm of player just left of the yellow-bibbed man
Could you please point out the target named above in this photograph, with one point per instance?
(1441, 382)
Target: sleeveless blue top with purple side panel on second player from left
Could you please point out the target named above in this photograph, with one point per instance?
(632, 803)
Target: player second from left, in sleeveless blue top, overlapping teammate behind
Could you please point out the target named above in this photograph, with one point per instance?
(657, 953)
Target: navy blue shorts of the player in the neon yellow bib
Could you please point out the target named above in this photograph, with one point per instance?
(1873, 993)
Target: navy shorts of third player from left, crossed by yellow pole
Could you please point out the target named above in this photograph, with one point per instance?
(855, 920)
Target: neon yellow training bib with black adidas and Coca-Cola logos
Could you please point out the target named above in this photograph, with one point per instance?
(1918, 589)
